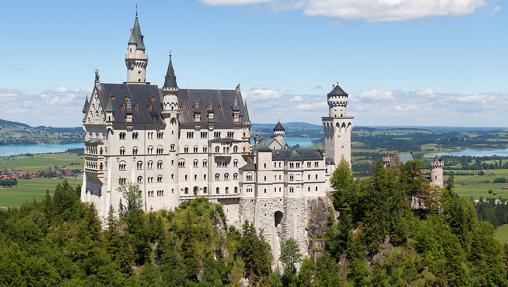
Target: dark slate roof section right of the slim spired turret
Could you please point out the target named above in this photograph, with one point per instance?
(199, 101)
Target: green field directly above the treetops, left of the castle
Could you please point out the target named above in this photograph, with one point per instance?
(30, 189)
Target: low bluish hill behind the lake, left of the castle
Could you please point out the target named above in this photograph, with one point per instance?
(12, 133)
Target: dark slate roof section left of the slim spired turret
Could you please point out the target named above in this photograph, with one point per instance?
(144, 101)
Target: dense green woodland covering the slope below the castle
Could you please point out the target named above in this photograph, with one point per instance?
(378, 240)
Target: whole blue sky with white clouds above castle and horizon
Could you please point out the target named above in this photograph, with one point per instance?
(404, 62)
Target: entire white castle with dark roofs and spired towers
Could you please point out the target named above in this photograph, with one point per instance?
(177, 144)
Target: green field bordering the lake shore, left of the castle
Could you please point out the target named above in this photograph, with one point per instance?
(42, 161)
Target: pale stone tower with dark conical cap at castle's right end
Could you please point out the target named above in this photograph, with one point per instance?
(337, 127)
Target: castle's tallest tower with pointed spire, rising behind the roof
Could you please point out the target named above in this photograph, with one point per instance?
(136, 60)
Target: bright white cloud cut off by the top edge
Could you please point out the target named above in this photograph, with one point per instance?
(371, 10)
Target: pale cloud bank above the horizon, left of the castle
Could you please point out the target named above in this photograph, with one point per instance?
(59, 106)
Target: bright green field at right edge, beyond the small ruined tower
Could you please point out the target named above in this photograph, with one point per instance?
(478, 186)
